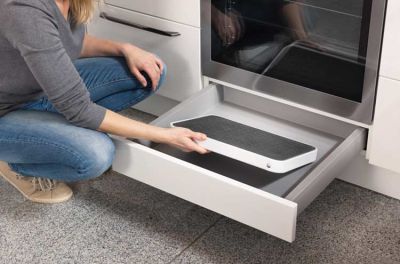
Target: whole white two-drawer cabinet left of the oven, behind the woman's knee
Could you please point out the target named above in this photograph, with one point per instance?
(172, 36)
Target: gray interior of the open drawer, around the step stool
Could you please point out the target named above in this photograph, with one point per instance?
(213, 101)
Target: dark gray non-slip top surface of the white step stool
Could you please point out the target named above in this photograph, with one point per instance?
(246, 137)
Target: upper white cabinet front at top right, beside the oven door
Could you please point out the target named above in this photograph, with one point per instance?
(390, 63)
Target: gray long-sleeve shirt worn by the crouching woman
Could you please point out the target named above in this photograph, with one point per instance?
(37, 49)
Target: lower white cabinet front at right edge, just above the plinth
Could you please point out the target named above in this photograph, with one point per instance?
(385, 141)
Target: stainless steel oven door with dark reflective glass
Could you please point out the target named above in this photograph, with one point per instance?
(322, 54)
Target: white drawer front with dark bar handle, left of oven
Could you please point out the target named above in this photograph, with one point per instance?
(181, 53)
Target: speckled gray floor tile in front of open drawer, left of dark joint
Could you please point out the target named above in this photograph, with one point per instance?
(152, 228)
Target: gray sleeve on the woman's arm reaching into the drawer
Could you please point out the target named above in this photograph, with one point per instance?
(33, 31)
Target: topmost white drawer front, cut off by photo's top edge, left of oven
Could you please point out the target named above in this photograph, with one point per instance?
(182, 11)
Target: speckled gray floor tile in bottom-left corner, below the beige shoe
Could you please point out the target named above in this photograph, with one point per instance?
(28, 229)
